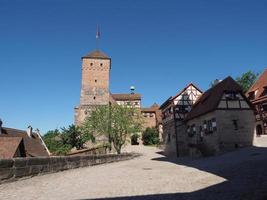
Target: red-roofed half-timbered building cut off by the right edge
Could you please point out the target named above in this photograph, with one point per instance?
(257, 94)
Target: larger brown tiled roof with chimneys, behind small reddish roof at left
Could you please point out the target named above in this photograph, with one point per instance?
(33, 145)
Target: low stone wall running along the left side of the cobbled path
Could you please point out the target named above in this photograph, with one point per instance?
(13, 169)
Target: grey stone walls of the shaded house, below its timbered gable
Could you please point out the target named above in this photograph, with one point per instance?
(227, 137)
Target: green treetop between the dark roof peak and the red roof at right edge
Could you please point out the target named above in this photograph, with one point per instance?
(246, 80)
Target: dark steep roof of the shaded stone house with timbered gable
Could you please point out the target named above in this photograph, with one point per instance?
(211, 98)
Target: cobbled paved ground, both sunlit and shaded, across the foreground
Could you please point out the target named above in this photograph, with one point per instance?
(237, 175)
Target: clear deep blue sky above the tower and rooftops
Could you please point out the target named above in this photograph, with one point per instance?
(158, 46)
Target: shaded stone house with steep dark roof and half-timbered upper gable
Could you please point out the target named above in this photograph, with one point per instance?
(221, 120)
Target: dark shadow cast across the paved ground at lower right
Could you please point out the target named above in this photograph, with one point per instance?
(245, 171)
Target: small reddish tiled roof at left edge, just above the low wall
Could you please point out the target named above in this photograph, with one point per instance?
(9, 146)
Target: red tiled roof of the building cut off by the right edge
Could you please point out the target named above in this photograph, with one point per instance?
(259, 85)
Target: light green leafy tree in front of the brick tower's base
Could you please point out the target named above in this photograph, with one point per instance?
(115, 122)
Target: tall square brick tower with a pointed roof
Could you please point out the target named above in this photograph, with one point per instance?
(95, 84)
